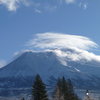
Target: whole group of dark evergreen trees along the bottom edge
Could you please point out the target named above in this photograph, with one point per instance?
(63, 90)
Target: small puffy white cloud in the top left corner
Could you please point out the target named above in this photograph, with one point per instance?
(12, 5)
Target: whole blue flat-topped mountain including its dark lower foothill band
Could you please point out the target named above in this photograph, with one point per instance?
(52, 63)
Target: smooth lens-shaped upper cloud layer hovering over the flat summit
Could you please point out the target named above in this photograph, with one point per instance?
(60, 41)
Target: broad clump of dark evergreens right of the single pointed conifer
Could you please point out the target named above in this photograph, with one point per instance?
(64, 90)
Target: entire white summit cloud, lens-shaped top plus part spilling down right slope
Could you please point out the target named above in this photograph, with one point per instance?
(70, 47)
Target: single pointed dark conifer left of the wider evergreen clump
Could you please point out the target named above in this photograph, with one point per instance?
(39, 90)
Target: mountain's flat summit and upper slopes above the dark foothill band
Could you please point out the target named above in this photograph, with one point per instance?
(49, 63)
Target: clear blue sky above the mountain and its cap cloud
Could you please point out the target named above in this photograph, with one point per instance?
(20, 20)
